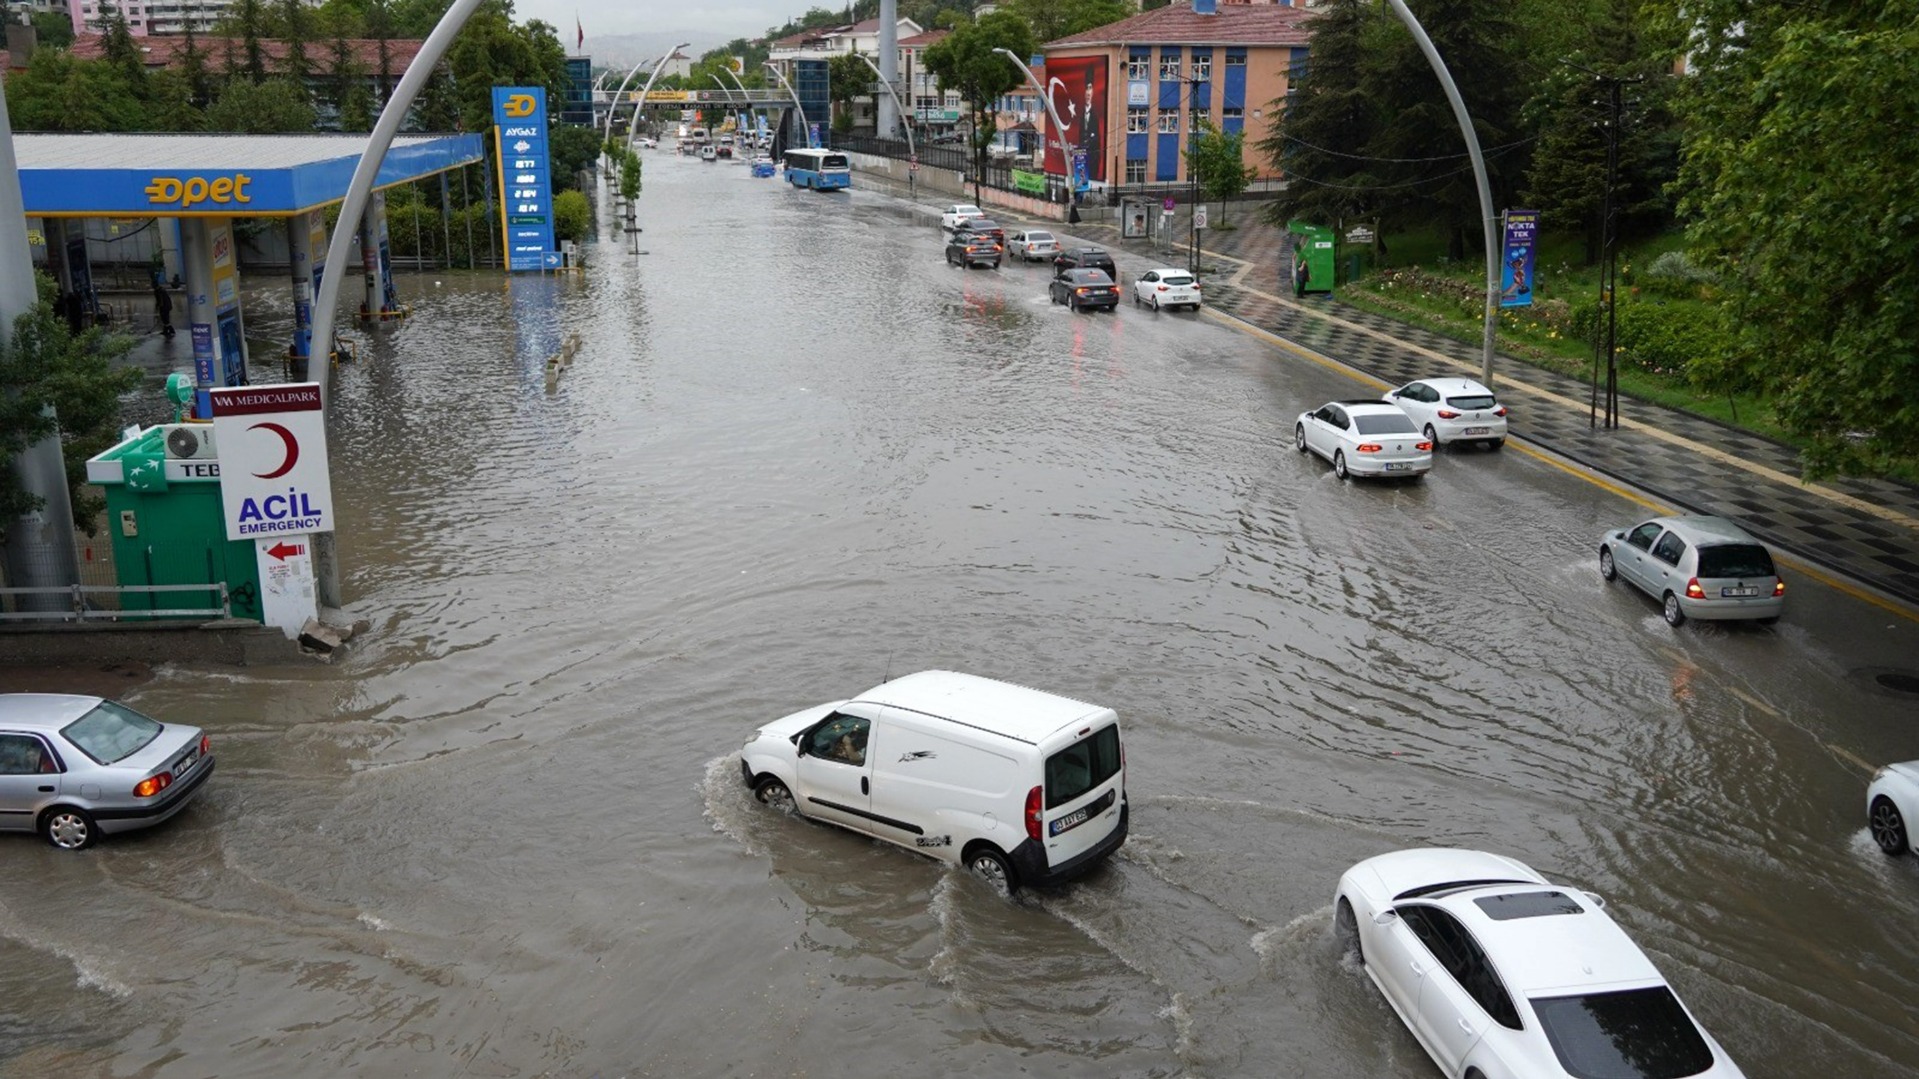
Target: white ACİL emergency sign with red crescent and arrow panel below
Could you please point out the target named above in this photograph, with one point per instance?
(277, 489)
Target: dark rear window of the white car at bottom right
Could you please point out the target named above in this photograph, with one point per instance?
(1640, 1034)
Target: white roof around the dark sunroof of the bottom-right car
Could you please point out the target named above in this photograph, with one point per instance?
(1548, 953)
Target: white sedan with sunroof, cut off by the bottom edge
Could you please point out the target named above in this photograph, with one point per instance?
(1505, 976)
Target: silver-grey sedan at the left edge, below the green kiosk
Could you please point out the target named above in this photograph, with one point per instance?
(76, 769)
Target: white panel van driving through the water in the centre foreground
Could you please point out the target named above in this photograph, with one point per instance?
(1022, 788)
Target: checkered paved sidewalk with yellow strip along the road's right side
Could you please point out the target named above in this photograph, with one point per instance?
(1866, 531)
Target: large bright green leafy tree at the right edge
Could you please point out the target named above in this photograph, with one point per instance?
(1803, 122)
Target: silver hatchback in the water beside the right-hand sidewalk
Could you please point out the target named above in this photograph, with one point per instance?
(1697, 567)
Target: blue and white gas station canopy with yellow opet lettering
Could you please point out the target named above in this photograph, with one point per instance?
(216, 176)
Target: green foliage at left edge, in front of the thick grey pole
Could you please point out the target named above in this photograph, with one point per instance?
(82, 379)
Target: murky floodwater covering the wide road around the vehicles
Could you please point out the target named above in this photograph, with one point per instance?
(797, 454)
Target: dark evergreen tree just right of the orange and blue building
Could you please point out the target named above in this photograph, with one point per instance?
(1327, 126)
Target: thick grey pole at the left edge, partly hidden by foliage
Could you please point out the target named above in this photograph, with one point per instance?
(39, 550)
